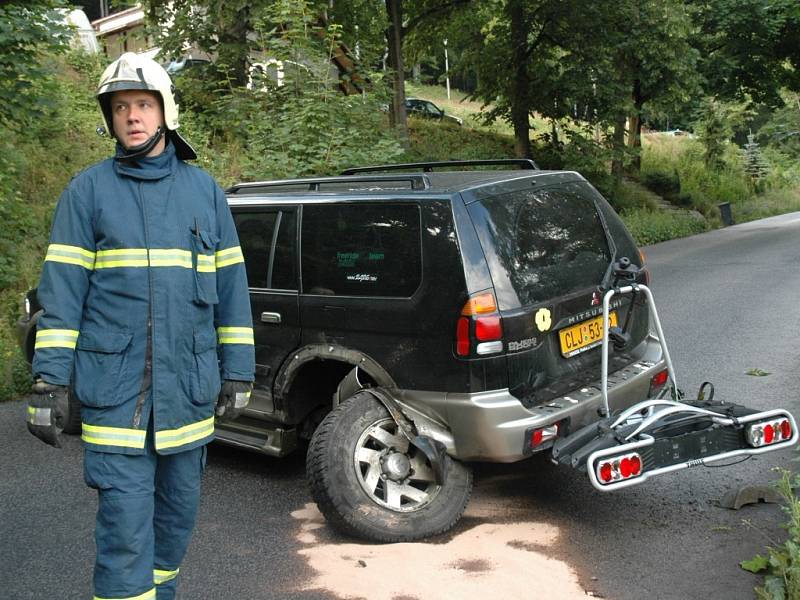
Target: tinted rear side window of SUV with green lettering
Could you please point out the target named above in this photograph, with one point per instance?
(361, 249)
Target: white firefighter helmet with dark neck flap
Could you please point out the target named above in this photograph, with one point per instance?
(133, 71)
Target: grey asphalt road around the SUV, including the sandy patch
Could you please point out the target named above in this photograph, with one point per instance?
(728, 303)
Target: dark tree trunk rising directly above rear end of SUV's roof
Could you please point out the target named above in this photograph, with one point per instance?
(520, 83)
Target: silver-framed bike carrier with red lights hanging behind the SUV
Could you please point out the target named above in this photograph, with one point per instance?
(660, 435)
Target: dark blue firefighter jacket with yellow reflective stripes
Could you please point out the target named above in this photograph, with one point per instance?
(154, 239)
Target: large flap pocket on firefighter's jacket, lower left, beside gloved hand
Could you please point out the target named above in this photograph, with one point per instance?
(100, 366)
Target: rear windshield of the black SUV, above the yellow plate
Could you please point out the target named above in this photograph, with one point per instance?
(541, 244)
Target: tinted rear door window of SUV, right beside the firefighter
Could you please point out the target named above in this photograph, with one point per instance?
(270, 254)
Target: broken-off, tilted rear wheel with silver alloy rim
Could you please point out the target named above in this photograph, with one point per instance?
(370, 482)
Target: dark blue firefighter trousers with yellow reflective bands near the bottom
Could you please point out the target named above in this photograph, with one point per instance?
(146, 512)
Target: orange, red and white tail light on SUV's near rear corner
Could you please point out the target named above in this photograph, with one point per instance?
(479, 328)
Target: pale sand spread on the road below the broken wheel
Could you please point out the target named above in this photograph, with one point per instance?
(487, 561)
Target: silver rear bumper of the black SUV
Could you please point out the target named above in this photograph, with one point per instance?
(492, 426)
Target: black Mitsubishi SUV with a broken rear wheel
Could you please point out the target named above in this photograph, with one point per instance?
(410, 319)
